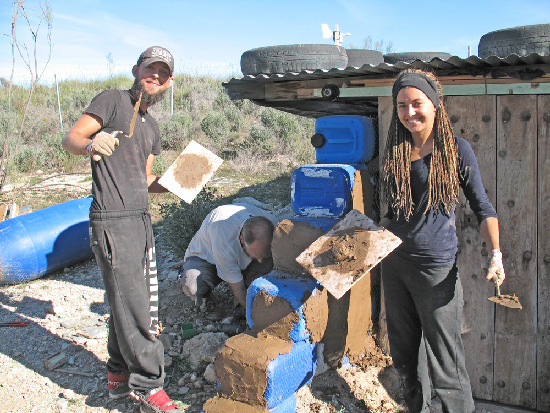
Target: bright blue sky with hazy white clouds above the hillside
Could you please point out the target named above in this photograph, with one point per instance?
(94, 39)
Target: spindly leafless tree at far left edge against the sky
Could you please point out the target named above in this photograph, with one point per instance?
(28, 51)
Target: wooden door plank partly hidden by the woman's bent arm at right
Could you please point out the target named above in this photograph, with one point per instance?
(474, 119)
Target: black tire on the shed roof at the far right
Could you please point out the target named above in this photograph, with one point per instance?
(521, 40)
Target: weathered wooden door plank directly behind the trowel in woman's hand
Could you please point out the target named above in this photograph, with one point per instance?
(515, 330)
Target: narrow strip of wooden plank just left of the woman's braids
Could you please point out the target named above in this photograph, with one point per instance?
(385, 109)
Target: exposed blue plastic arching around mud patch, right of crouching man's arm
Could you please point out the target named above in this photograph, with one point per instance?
(292, 289)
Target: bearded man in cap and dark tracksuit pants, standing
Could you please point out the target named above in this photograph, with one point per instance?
(121, 235)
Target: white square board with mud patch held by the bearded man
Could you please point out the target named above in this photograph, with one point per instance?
(191, 170)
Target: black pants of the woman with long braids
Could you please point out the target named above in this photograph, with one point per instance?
(424, 317)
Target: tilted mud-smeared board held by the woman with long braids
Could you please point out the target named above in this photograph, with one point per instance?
(349, 250)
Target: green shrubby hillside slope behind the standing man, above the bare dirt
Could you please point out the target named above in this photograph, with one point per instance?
(238, 130)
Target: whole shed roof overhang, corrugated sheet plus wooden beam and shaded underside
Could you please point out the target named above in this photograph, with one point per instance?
(289, 91)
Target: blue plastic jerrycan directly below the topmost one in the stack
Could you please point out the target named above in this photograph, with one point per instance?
(322, 190)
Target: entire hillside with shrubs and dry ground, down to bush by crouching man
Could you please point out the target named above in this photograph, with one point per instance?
(260, 146)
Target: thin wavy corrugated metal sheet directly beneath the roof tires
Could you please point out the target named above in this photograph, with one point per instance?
(455, 65)
